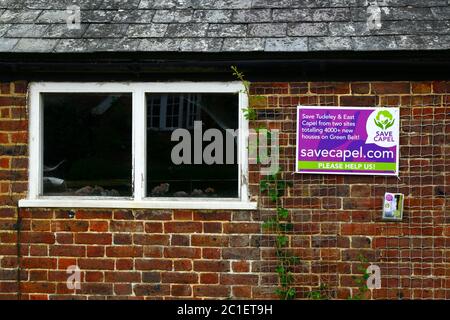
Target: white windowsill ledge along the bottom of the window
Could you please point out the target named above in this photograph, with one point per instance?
(224, 204)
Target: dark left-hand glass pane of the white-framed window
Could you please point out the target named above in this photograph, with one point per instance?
(87, 144)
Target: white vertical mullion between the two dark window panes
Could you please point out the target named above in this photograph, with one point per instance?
(139, 143)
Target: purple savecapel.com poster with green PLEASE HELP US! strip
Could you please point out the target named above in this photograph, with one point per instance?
(348, 140)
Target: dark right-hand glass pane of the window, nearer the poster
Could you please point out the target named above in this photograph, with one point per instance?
(165, 178)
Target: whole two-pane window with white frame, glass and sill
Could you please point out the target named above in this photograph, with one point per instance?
(138, 145)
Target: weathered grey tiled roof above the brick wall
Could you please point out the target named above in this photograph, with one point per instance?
(227, 25)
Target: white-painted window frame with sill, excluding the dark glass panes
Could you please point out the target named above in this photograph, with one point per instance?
(139, 152)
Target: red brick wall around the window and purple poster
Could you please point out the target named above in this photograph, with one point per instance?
(157, 254)
